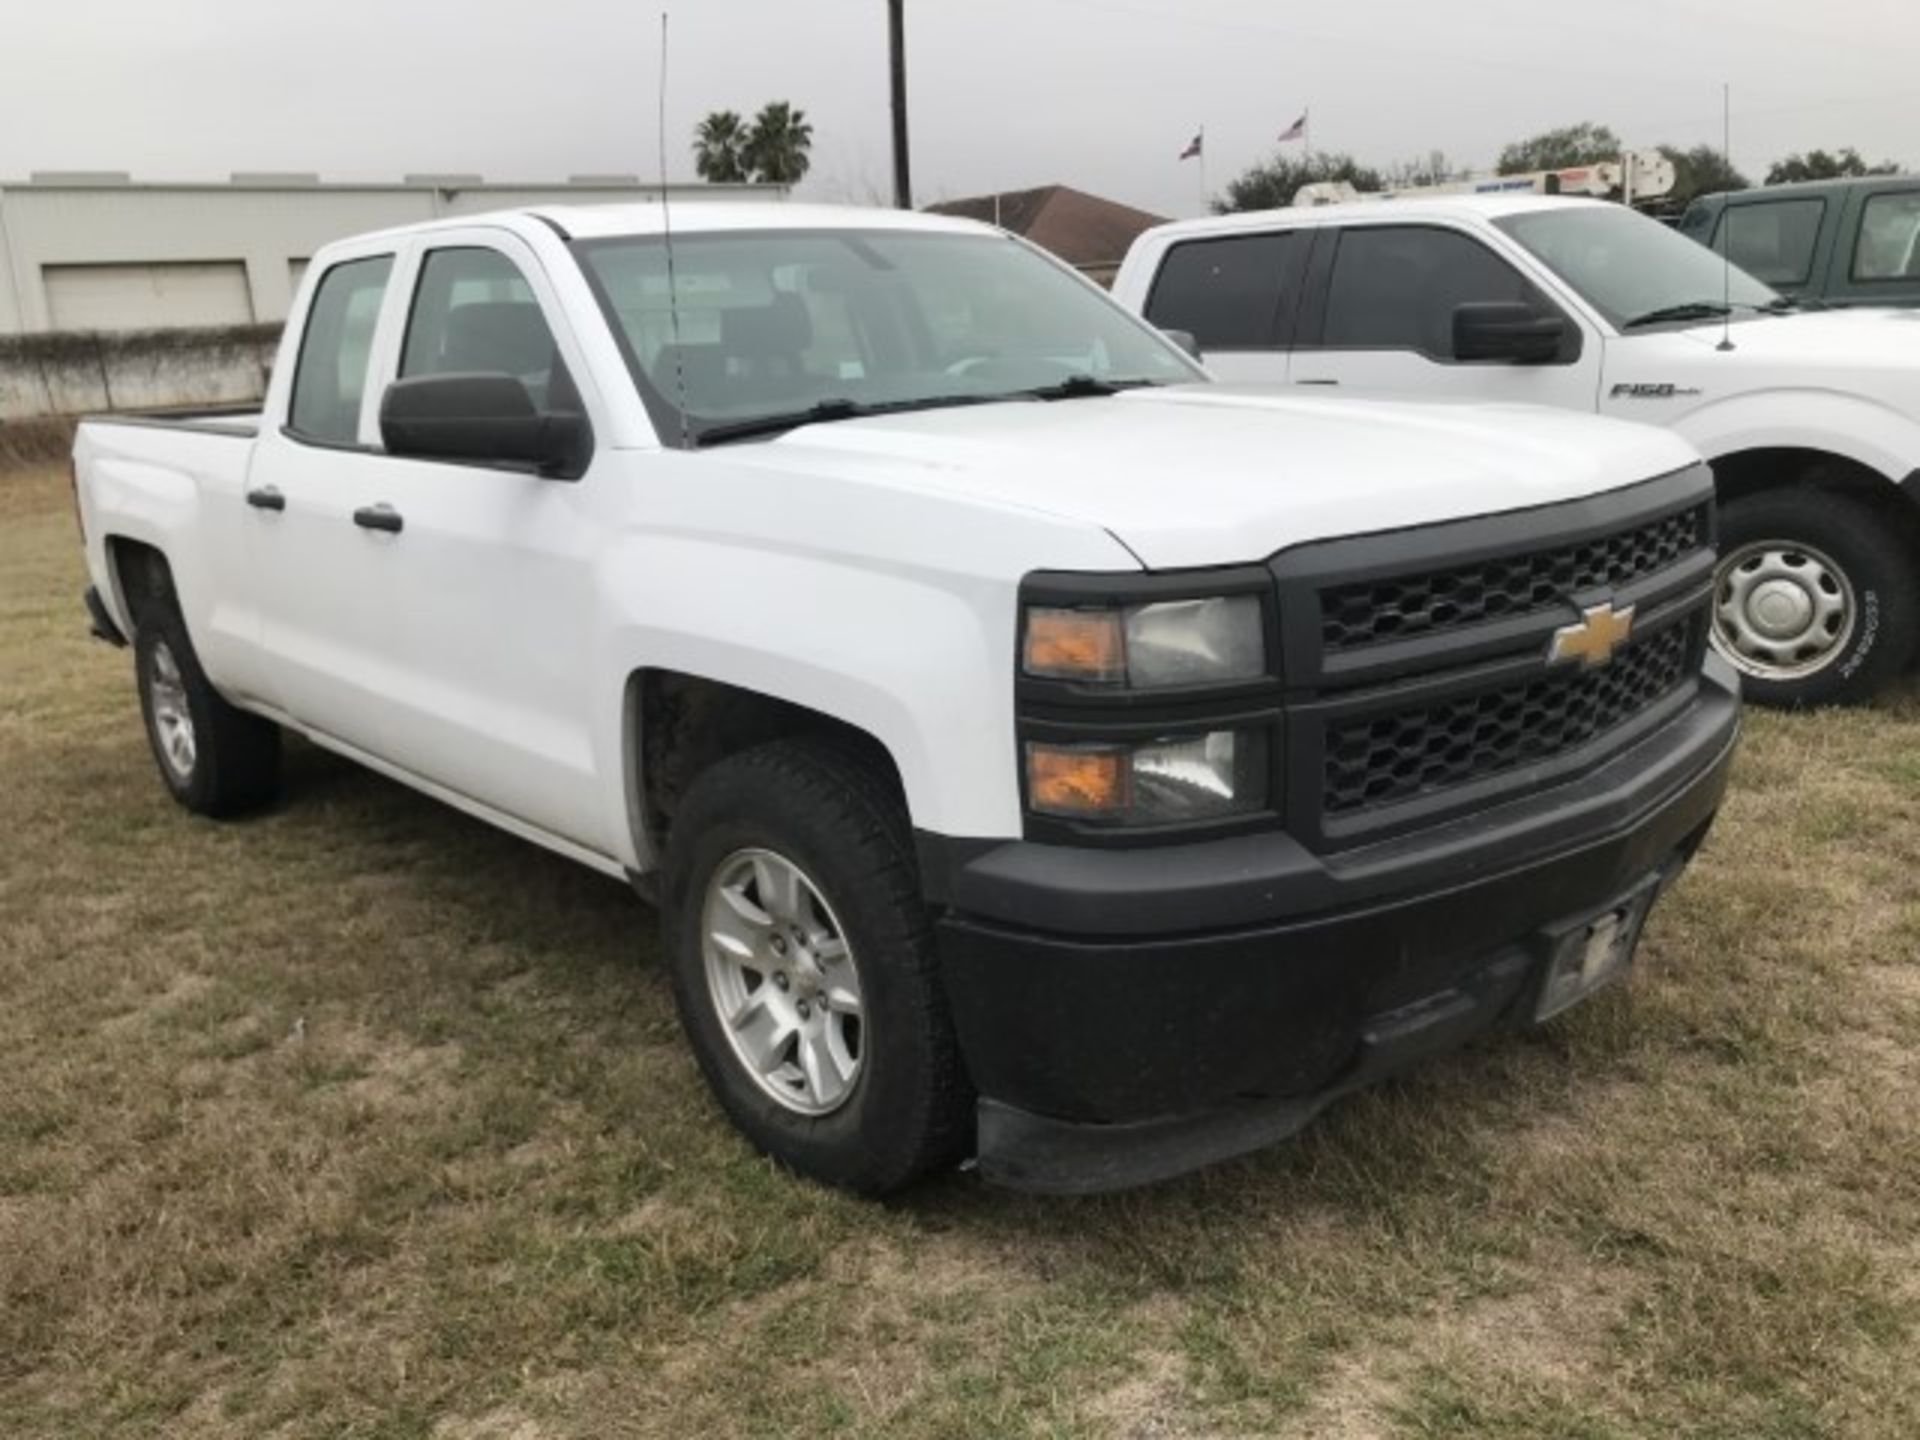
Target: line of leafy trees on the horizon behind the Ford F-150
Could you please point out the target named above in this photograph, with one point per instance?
(1698, 170)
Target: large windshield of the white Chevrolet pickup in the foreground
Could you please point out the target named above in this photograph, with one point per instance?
(807, 325)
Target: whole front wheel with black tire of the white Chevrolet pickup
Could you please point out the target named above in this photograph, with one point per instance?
(804, 967)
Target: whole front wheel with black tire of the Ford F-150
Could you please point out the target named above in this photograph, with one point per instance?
(1815, 598)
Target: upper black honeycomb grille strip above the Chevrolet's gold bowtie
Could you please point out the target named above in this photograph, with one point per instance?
(1504, 587)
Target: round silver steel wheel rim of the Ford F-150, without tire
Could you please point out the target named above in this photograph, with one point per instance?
(1783, 610)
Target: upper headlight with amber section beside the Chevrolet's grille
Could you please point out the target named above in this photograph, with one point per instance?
(1155, 646)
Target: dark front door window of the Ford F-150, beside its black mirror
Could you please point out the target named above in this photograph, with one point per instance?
(1395, 287)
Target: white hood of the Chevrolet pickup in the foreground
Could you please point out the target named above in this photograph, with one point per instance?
(1220, 475)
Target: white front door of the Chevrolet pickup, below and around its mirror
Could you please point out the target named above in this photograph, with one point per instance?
(485, 650)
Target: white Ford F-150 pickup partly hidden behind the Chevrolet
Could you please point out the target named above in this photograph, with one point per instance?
(1812, 420)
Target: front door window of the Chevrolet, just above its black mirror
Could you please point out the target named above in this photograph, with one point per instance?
(475, 314)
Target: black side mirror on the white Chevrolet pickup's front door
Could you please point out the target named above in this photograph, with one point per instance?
(483, 420)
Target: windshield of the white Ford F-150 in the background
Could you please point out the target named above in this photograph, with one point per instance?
(1631, 268)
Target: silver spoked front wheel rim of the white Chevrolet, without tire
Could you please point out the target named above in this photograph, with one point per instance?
(784, 982)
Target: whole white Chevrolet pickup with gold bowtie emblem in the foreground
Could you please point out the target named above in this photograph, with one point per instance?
(1036, 752)
